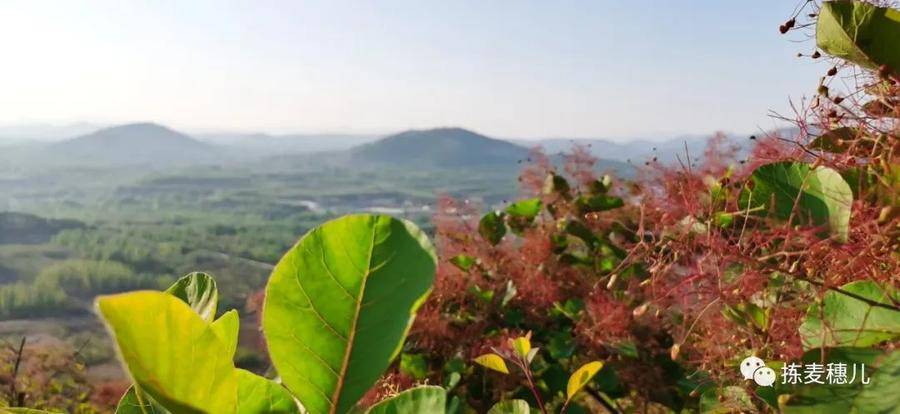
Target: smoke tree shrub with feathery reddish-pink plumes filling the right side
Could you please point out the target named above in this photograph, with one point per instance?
(671, 280)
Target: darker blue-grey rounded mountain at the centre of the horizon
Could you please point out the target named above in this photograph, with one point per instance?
(440, 147)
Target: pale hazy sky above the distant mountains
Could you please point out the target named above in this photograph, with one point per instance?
(504, 68)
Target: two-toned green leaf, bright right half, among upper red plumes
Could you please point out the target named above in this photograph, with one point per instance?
(821, 195)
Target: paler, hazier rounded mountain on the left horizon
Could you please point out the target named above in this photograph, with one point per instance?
(140, 143)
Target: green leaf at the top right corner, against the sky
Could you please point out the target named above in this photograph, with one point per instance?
(861, 33)
